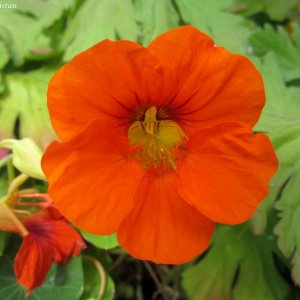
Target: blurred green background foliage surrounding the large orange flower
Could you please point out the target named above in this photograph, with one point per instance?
(259, 260)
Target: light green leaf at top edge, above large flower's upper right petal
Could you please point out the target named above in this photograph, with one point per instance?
(214, 18)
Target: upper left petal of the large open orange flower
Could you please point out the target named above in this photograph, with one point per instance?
(109, 80)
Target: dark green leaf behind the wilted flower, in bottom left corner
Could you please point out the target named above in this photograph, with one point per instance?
(62, 282)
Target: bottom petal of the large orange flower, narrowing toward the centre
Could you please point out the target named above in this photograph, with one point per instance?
(162, 227)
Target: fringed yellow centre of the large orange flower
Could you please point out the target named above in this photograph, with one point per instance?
(156, 141)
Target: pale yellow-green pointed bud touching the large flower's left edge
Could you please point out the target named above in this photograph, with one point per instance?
(26, 156)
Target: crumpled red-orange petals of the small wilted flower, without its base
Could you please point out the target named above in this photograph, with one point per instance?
(48, 240)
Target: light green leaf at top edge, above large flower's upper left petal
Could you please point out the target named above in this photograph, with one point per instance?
(98, 20)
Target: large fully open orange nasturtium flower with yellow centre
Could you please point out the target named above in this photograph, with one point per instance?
(157, 143)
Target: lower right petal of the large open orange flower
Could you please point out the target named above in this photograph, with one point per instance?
(226, 171)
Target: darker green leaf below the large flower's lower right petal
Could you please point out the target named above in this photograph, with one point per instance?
(235, 248)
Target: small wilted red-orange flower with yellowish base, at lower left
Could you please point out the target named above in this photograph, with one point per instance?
(47, 238)
